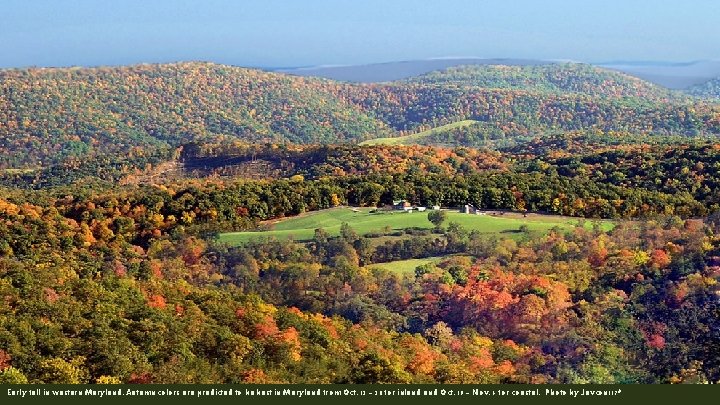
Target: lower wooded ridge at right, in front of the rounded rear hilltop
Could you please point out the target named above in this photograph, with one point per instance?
(410, 108)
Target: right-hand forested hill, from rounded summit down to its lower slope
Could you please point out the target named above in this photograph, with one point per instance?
(530, 101)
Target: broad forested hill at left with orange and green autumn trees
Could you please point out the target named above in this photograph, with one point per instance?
(48, 115)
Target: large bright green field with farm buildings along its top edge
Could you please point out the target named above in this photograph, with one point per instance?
(303, 227)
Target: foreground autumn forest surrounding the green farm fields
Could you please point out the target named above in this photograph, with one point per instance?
(126, 284)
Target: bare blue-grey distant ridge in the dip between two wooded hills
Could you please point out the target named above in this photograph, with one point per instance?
(391, 71)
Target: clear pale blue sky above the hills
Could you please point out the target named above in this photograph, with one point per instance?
(275, 33)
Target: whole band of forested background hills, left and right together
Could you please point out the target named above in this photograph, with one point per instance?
(60, 116)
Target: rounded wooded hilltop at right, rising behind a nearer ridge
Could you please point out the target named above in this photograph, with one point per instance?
(553, 78)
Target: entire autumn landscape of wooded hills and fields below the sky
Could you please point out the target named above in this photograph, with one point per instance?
(204, 223)
